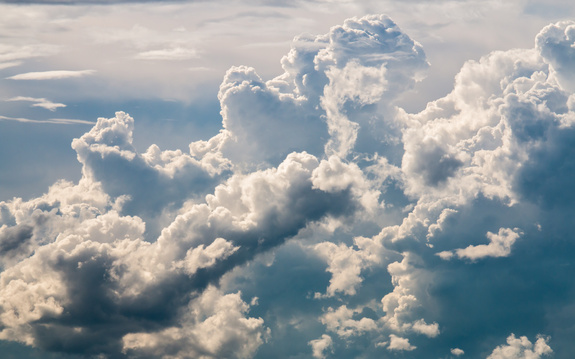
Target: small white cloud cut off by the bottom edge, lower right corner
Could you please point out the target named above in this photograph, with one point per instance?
(517, 348)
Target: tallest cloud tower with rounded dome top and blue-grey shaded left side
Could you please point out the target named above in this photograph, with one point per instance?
(363, 62)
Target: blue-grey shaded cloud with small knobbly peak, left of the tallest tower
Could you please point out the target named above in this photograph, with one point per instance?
(149, 182)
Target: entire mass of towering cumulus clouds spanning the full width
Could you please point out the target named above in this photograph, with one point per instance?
(322, 220)
